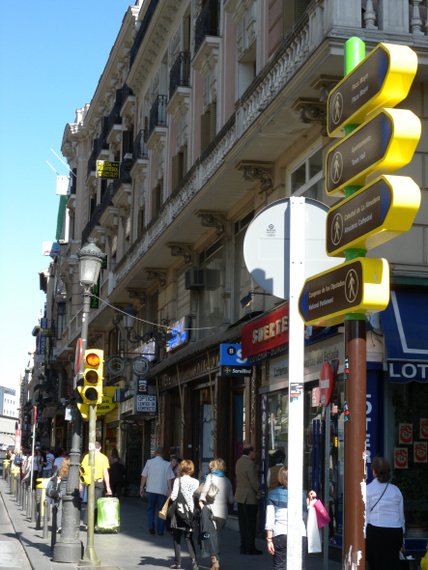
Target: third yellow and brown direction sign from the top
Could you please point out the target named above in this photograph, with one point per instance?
(375, 214)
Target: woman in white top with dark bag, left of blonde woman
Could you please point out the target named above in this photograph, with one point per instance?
(182, 524)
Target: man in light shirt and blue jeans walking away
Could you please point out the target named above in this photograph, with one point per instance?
(157, 476)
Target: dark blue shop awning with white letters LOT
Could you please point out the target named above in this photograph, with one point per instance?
(405, 326)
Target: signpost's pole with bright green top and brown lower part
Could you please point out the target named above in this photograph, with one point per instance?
(355, 397)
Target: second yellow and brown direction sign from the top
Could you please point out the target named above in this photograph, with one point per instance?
(385, 143)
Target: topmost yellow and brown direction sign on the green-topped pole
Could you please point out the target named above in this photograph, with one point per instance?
(382, 79)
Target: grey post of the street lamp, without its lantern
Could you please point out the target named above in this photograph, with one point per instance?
(69, 547)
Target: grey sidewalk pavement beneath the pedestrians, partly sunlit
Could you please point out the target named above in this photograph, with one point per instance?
(22, 546)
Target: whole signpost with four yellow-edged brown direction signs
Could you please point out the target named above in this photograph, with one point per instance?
(377, 208)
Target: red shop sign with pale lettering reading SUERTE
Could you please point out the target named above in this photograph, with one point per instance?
(266, 333)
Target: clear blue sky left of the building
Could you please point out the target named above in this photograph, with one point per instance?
(51, 57)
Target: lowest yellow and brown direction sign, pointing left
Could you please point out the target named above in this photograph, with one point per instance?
(357, 286)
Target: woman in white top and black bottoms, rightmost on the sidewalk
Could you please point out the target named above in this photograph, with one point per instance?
(384, 519)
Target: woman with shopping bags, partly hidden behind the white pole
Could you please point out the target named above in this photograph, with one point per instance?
(277, 521)
